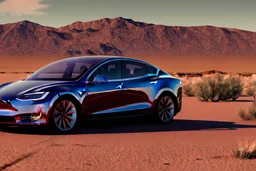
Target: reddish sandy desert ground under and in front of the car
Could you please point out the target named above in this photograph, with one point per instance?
(202, 137)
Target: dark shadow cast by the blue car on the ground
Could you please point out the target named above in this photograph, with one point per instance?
(135, 126)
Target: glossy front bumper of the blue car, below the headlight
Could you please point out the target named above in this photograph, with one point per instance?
(24, 113)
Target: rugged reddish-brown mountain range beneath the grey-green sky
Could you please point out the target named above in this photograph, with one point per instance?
(120, 36)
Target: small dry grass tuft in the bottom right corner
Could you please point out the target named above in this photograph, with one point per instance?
(247, 151)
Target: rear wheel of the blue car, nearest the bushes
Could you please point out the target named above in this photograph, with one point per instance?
(165, 109)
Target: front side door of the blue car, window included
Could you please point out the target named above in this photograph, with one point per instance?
(105, 97)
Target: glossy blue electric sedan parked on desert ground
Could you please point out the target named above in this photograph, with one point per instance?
(63, 93)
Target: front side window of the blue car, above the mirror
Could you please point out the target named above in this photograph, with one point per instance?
(111, 69)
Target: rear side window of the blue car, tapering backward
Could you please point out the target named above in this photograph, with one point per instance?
(135, 69)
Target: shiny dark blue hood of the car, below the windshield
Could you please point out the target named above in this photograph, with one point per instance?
(12, 90)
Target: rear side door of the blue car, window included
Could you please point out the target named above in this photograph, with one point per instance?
(141, 84)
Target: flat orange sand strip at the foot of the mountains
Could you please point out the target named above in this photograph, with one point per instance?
(168, 63)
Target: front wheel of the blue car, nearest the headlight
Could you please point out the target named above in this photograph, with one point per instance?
(64, 115)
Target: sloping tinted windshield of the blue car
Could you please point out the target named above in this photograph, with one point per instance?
(69, 69)
